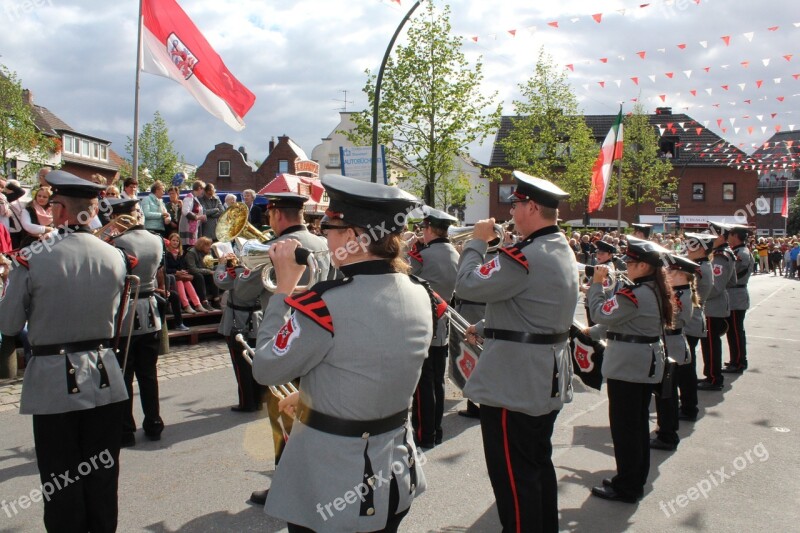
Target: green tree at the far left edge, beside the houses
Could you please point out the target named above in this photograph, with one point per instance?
(19, 136)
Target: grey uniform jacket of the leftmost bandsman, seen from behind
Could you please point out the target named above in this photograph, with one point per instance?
(68, 294)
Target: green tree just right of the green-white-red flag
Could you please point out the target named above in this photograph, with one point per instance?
(645, 175)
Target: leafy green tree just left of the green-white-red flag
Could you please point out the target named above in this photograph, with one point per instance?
(549, 137)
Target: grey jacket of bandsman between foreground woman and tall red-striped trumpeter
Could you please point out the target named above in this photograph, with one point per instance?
(437, 263)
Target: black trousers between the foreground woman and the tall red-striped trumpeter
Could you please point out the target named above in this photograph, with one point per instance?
(427, 408)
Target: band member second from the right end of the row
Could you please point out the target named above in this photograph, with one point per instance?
(717, 308)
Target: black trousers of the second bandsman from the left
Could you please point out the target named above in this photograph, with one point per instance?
(142, 362)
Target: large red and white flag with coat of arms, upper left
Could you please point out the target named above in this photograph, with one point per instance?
(173, 47)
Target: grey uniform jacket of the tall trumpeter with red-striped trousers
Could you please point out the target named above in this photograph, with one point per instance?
(536, 292)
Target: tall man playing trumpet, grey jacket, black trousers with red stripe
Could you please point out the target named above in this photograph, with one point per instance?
(524, 371)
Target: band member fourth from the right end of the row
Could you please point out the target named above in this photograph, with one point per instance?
(680, 274)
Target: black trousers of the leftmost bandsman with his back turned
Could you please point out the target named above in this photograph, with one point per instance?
(83, 446)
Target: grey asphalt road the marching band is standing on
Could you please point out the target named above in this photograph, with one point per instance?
(736, 468)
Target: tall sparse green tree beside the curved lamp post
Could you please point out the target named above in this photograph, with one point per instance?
(431, 109)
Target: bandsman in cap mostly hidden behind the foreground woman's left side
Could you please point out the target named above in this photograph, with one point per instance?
(285, 216)
